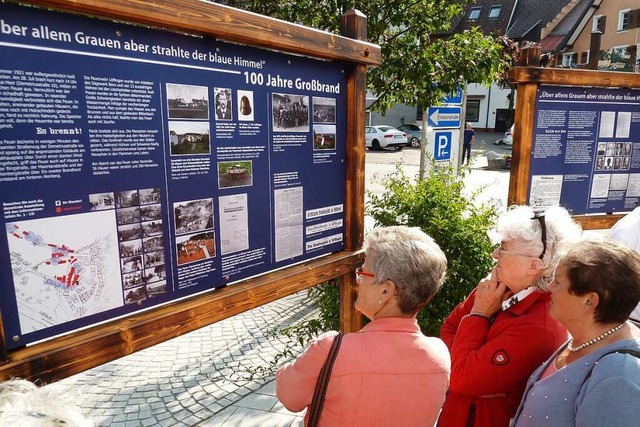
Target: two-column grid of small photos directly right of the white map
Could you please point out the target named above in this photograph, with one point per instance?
(140, 240)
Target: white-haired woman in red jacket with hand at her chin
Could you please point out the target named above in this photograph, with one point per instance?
(502, 331)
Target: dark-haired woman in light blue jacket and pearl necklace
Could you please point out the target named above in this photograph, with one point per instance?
(593, 379)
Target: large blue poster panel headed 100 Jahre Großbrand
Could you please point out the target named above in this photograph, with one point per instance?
(138, 166)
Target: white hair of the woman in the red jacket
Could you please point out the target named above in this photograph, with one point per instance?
(518, 225)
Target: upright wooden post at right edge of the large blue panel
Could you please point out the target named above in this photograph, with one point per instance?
(354, 25)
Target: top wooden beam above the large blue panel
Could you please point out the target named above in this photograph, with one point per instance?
(226, 23)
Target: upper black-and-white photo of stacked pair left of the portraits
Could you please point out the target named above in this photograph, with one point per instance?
(188, 102)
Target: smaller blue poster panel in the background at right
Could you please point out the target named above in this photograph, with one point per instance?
(586, 149)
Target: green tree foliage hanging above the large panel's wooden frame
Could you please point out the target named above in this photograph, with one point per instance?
(419, 63)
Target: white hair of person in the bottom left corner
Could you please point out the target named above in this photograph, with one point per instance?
(24, 404)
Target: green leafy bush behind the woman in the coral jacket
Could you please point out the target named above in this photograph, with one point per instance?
(439, 207)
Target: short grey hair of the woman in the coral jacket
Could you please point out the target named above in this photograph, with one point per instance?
(411, 259)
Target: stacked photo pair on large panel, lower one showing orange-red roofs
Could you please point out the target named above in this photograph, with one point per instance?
(195, 238)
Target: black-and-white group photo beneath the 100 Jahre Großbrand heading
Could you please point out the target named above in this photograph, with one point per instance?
(290, 112)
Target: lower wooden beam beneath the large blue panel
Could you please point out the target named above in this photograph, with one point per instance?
(78, 351)
